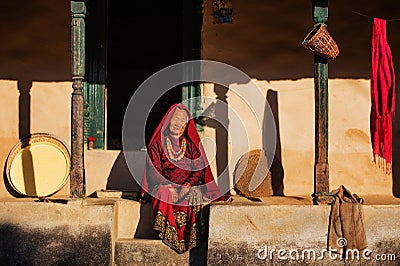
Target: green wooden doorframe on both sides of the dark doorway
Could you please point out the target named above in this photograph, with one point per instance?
(95, 89)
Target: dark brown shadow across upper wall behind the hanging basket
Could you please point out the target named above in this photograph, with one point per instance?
(270, 32)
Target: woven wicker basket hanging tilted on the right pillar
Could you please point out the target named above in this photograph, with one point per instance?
(321, 42)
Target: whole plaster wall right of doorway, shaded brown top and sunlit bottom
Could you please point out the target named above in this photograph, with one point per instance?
(264, 41)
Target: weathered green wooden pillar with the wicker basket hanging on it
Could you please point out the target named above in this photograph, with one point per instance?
(321, 167)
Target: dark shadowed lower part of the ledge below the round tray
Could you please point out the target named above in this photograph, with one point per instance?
(54, 246)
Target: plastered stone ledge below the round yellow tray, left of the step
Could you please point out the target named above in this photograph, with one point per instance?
(48, 233)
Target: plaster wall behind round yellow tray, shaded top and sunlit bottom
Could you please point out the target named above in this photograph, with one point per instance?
(35, 74)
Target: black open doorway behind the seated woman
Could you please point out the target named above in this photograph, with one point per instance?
(143, 38)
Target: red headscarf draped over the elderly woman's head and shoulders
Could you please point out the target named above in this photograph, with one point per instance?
(211, 189)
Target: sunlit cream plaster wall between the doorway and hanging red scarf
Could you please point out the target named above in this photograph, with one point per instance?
(350, 153)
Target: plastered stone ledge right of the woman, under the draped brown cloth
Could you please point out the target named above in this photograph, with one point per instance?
(291, 227)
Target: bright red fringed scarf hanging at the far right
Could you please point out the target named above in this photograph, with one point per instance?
(383, 96)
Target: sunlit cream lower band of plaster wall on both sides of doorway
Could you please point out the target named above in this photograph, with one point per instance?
(350, 154)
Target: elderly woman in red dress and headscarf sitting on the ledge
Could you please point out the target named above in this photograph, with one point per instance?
(178, 178)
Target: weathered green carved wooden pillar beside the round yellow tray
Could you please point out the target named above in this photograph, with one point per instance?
(77, 175)
